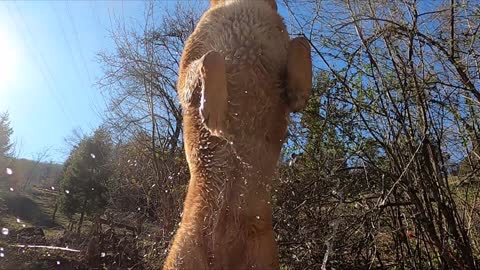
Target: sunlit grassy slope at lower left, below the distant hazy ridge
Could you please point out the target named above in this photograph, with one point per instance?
(33, 208)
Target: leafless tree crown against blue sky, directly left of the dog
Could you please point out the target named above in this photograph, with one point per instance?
(140, 77)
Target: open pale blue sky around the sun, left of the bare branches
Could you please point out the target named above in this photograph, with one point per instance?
(48, 61)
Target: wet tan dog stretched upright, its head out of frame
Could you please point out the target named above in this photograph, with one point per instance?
(240, 77)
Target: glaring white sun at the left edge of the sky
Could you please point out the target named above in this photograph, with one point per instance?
(9, 59)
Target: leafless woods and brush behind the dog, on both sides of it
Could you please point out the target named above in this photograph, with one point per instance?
(380, 171)
